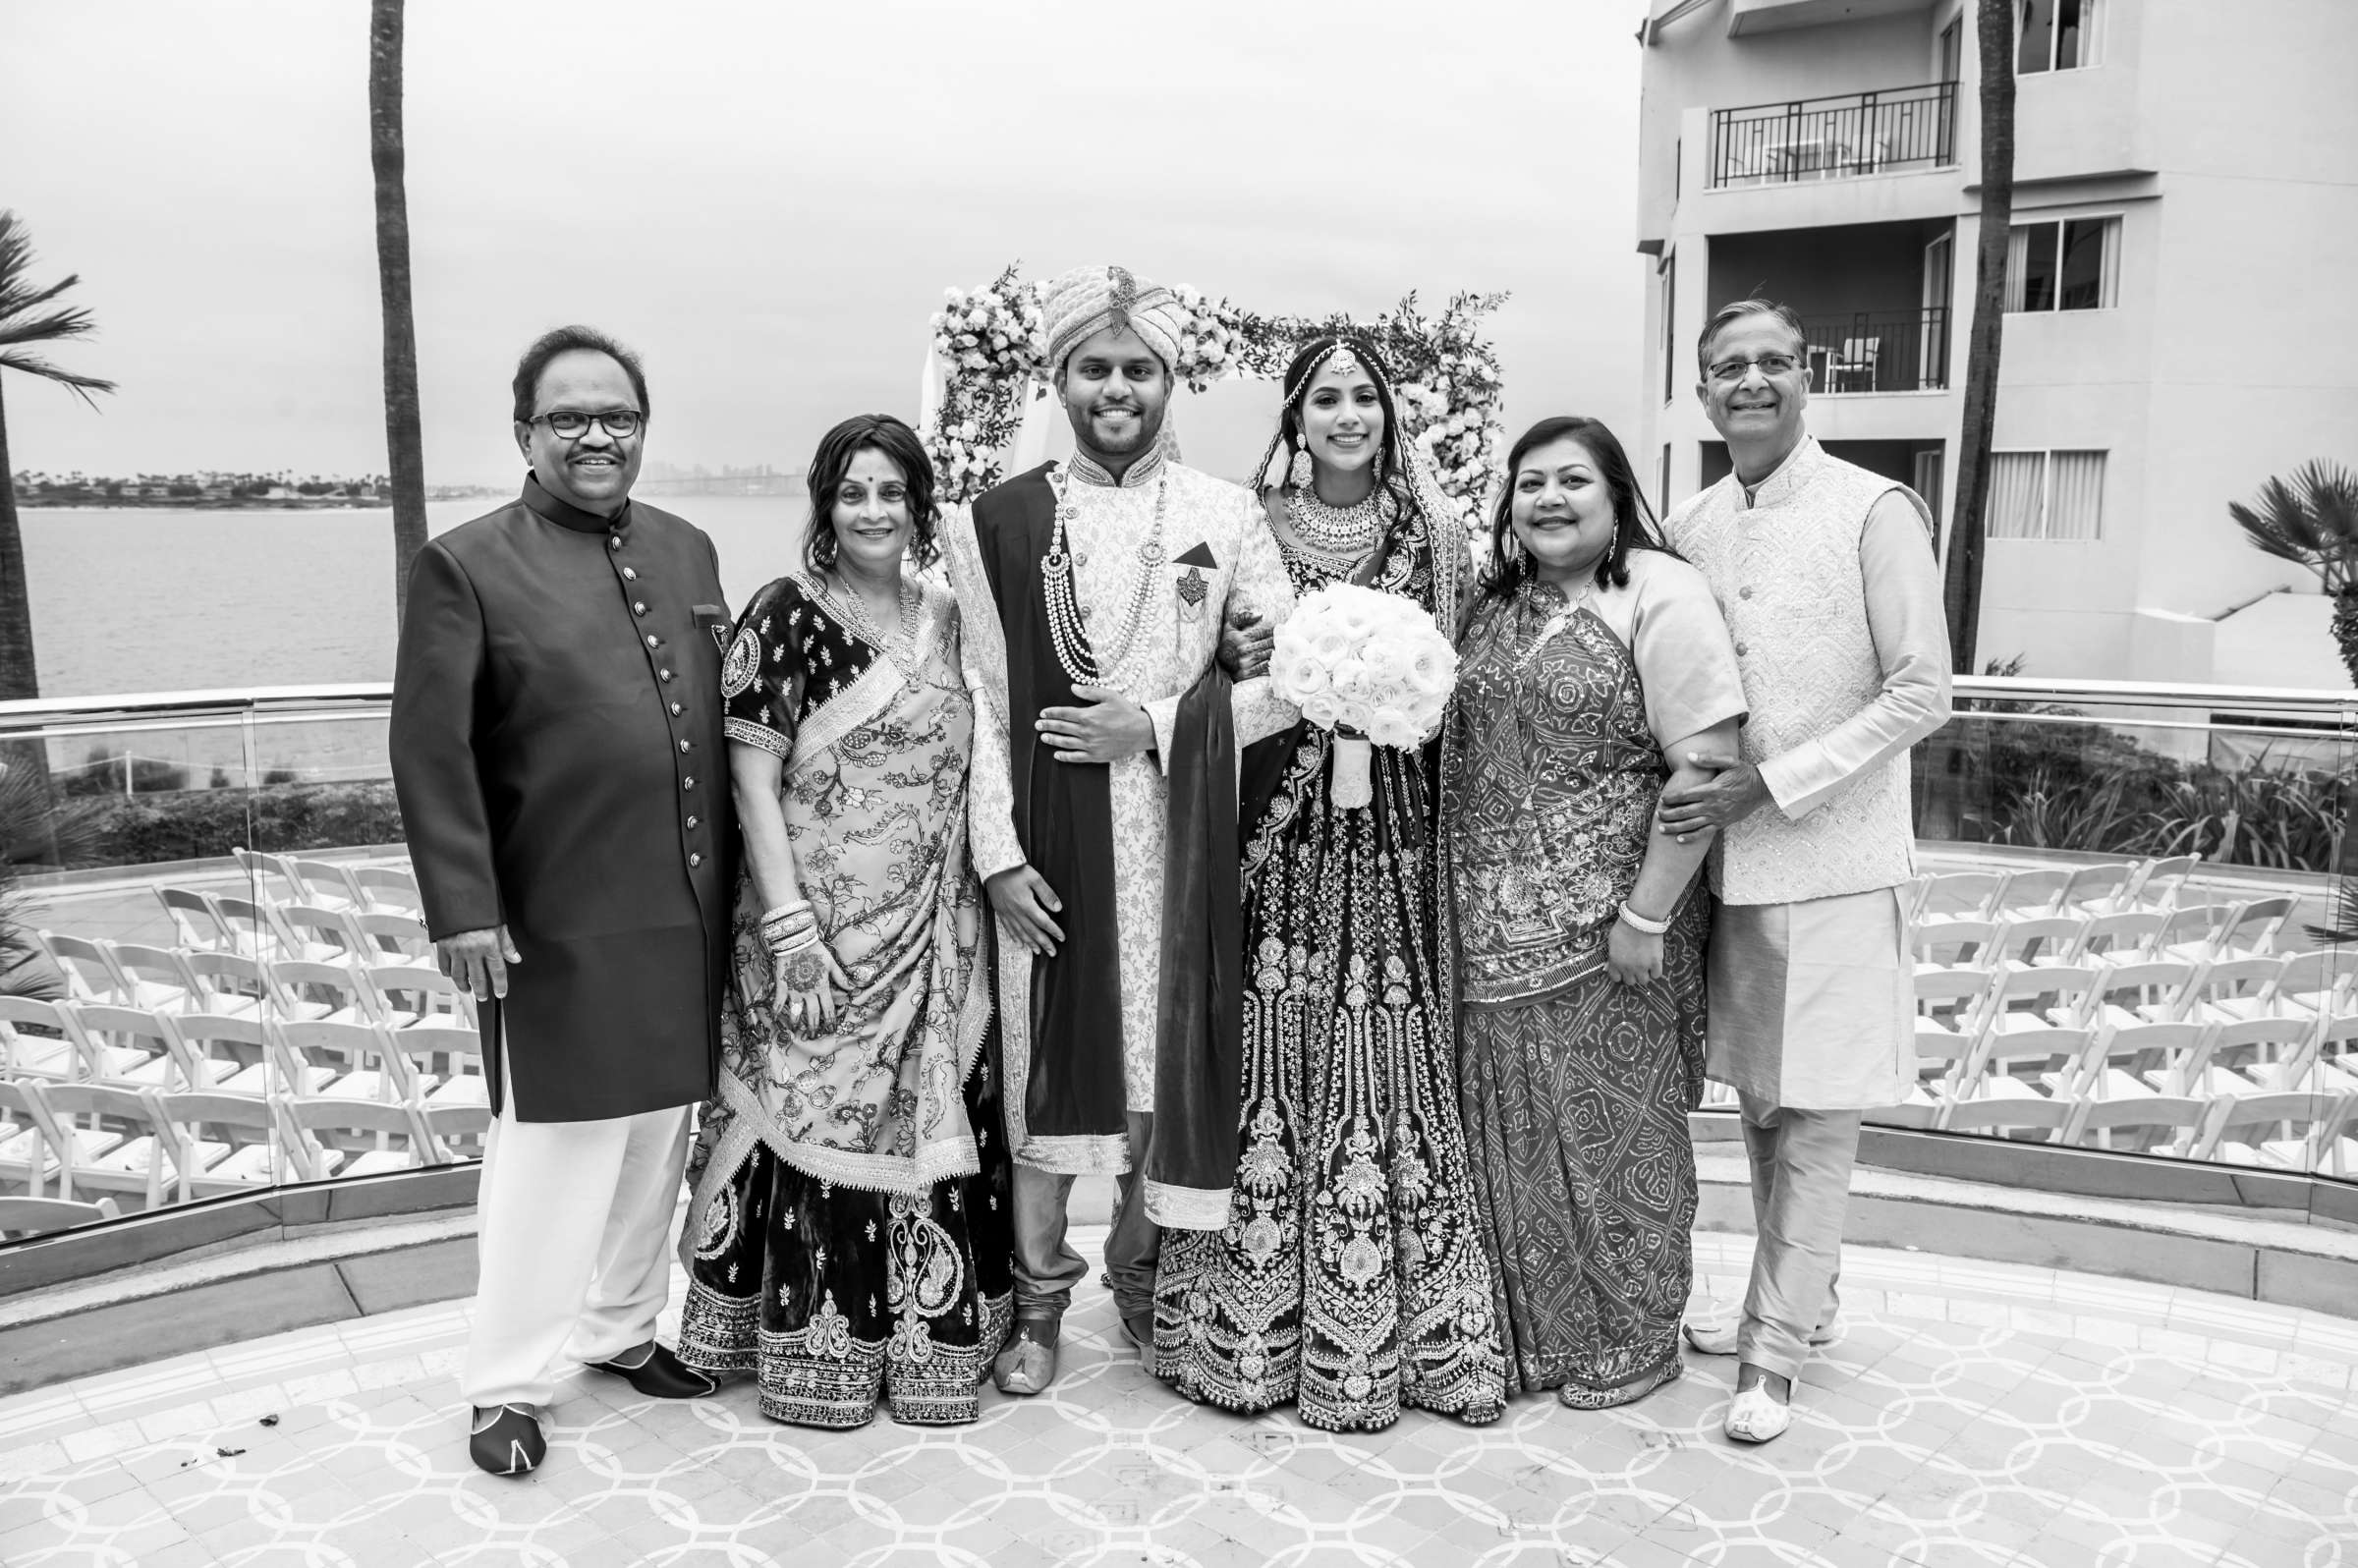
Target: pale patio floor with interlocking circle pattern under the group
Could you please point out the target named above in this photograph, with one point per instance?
(1972, 1414)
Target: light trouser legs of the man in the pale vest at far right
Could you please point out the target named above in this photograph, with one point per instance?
(1800, 1194)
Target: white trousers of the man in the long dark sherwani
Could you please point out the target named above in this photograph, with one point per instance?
(574, 1249)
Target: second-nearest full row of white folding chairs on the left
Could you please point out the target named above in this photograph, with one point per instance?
(390, 1046)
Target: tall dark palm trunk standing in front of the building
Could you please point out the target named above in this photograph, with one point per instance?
(1994, 29)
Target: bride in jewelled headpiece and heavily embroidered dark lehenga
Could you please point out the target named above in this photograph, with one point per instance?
(1350, 1277)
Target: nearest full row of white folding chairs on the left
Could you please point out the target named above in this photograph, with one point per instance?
(154, 1147)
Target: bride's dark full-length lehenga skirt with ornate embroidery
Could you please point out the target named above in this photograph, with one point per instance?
(1350, 1277)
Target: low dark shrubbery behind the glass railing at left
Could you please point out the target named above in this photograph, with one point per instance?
(209, 824)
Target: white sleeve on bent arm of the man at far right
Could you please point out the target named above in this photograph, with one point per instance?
(1911, 645)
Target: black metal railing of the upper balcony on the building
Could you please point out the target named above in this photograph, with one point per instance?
(1883, 131)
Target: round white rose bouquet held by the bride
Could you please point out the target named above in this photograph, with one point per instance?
(1369, 666)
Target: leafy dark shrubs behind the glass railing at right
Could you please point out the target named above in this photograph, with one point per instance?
(2093, 789)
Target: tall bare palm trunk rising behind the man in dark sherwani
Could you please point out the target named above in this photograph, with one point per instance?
(388, 162)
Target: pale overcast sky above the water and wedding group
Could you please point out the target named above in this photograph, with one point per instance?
(770, 197)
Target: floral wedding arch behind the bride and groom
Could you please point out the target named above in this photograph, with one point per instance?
(992, 355)
